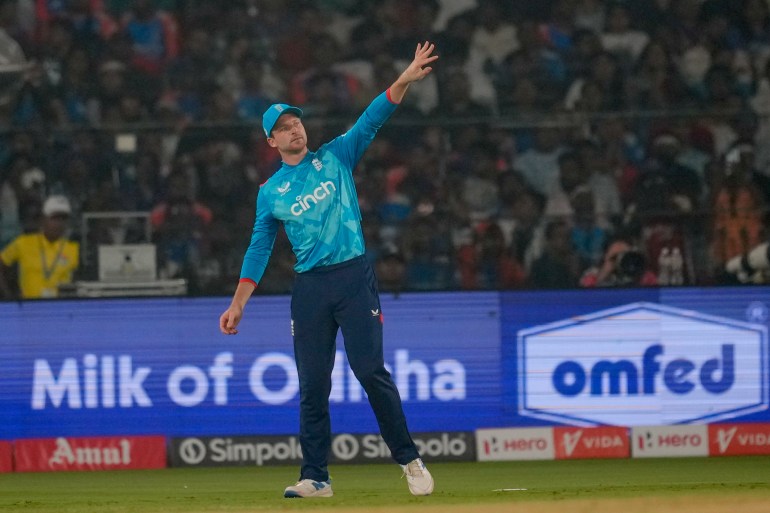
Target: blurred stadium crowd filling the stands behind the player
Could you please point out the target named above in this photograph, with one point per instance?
(559, 143)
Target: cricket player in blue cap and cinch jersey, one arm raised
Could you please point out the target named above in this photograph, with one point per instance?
(314, 196)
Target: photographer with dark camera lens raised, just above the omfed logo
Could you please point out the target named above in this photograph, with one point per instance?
(623, 265)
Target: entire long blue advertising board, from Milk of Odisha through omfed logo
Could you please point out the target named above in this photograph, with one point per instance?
(462, 361)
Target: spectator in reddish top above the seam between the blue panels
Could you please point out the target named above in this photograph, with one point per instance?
(488, 264)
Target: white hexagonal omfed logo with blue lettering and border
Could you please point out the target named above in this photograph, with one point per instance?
(642, 364)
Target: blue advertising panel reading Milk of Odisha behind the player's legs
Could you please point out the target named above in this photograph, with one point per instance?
(101, 367)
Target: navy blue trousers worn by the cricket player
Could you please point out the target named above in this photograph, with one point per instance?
(324, 300)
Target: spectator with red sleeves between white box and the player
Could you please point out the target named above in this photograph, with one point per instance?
(180, 225)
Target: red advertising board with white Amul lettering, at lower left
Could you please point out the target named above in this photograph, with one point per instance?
(90, 453)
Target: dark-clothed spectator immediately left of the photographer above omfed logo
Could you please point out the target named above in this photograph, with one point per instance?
(558, 266)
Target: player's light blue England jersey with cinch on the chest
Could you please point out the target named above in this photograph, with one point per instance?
(316, 201)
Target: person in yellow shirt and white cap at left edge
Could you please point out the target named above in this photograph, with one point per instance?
(46, 259)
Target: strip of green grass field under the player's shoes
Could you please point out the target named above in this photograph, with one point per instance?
(678, 485)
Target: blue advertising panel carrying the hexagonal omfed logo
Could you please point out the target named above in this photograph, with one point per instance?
(631, 357)
